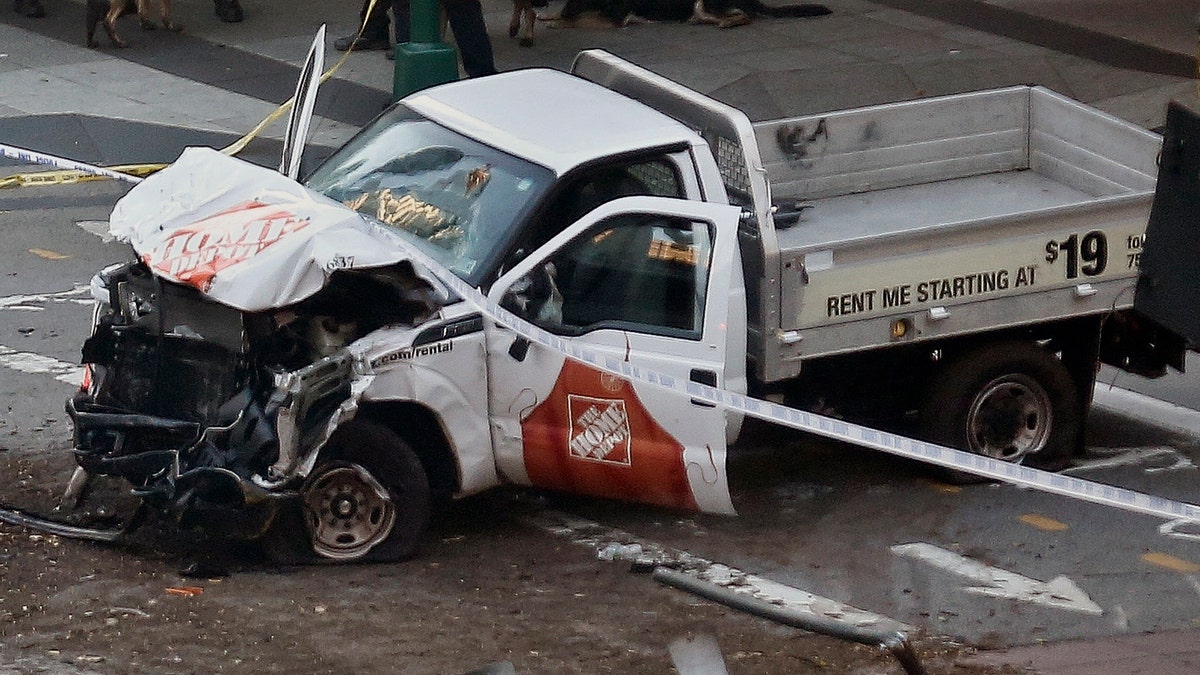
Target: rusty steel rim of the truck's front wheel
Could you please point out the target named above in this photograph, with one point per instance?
(347, 512)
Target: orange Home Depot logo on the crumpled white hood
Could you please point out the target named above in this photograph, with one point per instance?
(197, 253)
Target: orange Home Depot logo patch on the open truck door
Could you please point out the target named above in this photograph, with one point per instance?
(592, 435)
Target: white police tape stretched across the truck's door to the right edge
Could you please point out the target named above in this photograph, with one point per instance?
(819, 425)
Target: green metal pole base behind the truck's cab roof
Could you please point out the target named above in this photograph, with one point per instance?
(425, 61)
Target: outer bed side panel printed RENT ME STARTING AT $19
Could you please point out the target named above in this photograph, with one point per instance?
(1007, 272)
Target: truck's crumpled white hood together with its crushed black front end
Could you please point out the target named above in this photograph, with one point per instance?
(226, 355)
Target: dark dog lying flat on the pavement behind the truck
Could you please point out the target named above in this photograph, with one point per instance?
(722, 14)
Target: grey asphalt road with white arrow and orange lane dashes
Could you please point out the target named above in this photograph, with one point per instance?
(991, 565)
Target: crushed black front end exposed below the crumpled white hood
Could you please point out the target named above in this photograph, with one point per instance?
(212, 413)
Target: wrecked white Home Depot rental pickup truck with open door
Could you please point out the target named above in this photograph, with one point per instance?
(273, 361)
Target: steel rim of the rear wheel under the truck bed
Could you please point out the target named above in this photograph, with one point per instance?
(1011, 420)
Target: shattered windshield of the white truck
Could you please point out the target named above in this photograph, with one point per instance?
(457, 199)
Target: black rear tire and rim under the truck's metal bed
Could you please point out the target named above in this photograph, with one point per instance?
(1011, 401)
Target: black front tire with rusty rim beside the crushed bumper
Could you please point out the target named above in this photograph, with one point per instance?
(367, 500)
